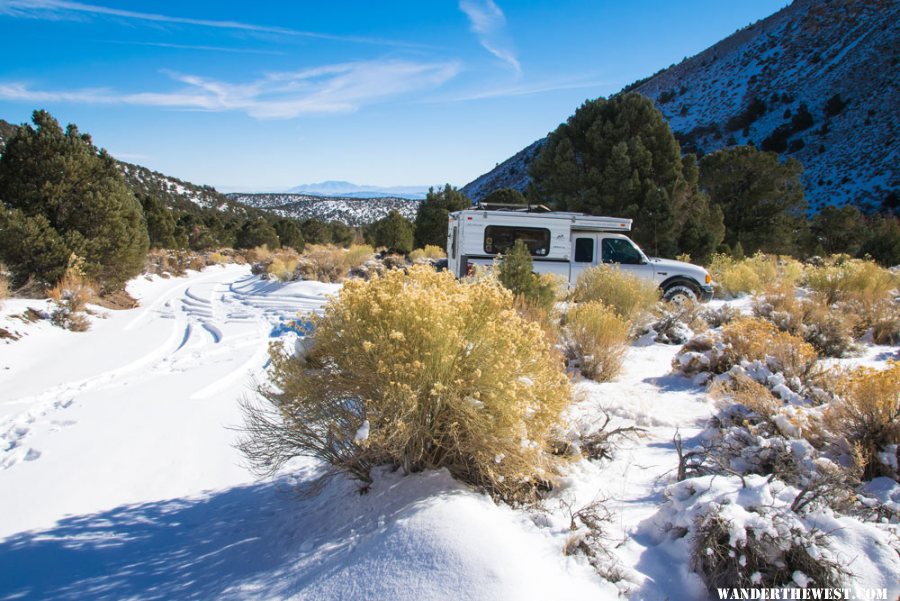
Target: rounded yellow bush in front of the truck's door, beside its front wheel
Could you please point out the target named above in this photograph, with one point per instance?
(632, 297)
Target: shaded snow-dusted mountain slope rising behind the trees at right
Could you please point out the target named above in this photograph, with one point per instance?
(815, 81)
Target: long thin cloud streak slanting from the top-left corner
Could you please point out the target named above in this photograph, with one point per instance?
(56, 9)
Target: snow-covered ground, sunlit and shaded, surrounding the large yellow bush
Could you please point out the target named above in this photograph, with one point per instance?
(119, 477)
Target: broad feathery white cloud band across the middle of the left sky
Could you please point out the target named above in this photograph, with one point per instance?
(334, 88)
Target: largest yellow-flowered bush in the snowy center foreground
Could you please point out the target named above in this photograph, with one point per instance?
(418, 371)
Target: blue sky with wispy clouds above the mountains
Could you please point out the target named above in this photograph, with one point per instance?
(266, 95)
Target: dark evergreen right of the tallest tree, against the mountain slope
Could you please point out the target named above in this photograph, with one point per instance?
(761, 199)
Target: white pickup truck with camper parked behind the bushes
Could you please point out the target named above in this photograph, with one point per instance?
(565, 244)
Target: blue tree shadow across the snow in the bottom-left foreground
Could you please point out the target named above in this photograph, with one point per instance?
(258, 540)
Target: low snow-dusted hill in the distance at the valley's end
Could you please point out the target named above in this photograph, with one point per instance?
(351, 211)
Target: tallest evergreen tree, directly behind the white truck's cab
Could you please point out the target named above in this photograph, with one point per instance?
(618, 157)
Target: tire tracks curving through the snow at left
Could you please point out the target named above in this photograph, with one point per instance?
(215, 317)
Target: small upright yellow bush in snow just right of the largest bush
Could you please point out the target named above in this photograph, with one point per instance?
(596, 339)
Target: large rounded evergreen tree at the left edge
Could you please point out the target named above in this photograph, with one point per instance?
(80, 194)
